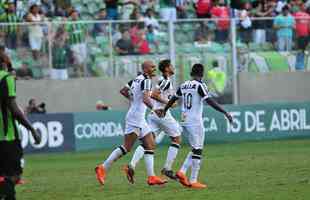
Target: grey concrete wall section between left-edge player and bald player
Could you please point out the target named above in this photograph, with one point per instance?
(75, 95)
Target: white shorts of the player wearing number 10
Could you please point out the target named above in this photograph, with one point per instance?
(196, 136)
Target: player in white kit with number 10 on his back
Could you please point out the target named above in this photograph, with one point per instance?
(193, 93)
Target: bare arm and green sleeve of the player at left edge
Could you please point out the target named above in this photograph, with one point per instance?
(15, 110)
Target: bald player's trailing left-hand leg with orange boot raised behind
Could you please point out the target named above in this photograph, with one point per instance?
(129, 140)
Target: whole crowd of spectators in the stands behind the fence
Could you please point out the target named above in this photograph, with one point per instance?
(288, 19)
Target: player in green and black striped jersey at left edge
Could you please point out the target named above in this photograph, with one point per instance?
(10, 145)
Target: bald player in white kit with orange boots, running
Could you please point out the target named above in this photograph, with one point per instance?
(136, 126)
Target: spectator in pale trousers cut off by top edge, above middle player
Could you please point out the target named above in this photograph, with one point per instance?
(167, 10)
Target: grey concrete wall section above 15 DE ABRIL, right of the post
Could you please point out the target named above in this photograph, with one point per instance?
(274, 87)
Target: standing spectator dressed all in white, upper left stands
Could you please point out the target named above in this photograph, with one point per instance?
(35, 30)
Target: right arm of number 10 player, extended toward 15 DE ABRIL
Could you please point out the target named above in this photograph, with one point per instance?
(203, 92)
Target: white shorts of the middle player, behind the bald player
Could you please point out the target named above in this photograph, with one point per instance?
(167, 124)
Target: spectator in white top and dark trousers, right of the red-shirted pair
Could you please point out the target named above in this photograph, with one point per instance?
(245, 23)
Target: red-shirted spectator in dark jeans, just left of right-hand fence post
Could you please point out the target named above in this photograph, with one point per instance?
(221, 11)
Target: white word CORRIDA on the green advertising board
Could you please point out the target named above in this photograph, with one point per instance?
(98, 130)
